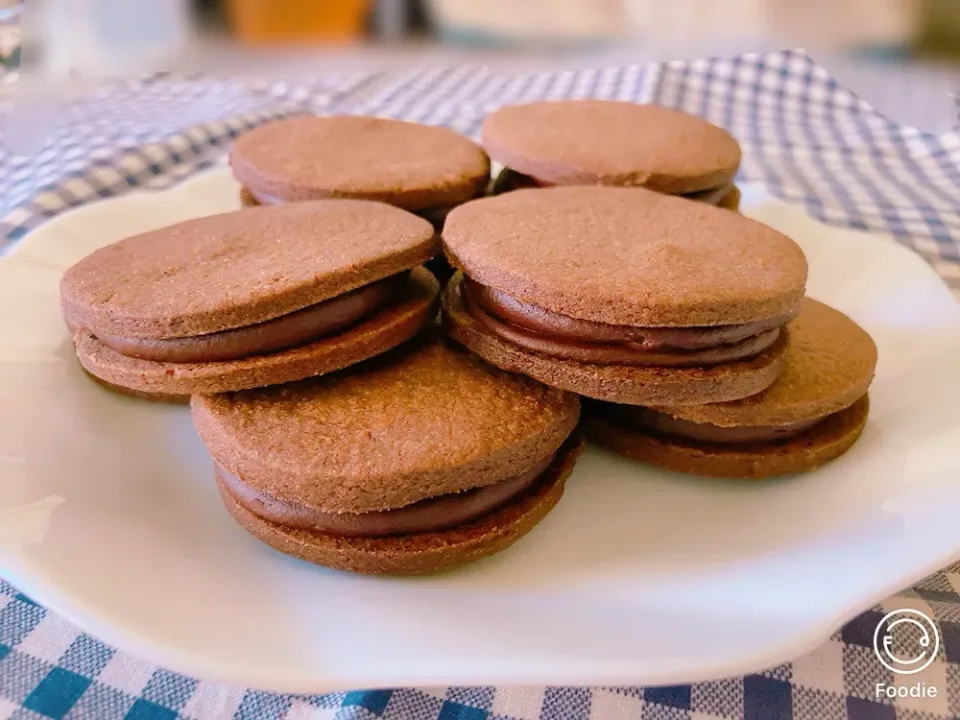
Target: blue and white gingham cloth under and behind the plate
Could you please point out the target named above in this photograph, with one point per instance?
(810, 141)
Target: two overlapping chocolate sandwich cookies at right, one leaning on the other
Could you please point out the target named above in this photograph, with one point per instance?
(684, 326)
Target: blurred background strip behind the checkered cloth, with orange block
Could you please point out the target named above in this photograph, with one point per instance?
(101, 38)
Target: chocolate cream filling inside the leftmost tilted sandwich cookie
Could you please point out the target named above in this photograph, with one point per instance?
(291, 330)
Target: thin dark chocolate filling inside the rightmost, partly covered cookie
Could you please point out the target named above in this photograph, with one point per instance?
(647, 420)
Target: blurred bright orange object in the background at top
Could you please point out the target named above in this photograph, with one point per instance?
(296, 21)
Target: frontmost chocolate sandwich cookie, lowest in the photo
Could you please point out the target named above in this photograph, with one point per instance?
(417, 461)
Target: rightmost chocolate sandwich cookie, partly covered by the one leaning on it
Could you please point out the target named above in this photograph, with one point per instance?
(812, 414)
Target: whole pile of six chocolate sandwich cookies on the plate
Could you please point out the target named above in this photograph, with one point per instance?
(349, 428)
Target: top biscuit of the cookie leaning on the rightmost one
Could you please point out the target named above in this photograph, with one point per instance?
(626, 256)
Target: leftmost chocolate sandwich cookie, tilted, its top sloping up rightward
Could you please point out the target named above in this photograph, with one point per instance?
(251, 298)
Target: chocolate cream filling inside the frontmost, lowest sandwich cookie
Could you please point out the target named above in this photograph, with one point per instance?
(430, 515)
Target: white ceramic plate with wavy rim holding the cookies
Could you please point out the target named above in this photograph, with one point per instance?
(110, 517)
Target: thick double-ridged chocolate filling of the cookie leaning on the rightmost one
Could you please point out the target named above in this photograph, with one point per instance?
(548, 333)
